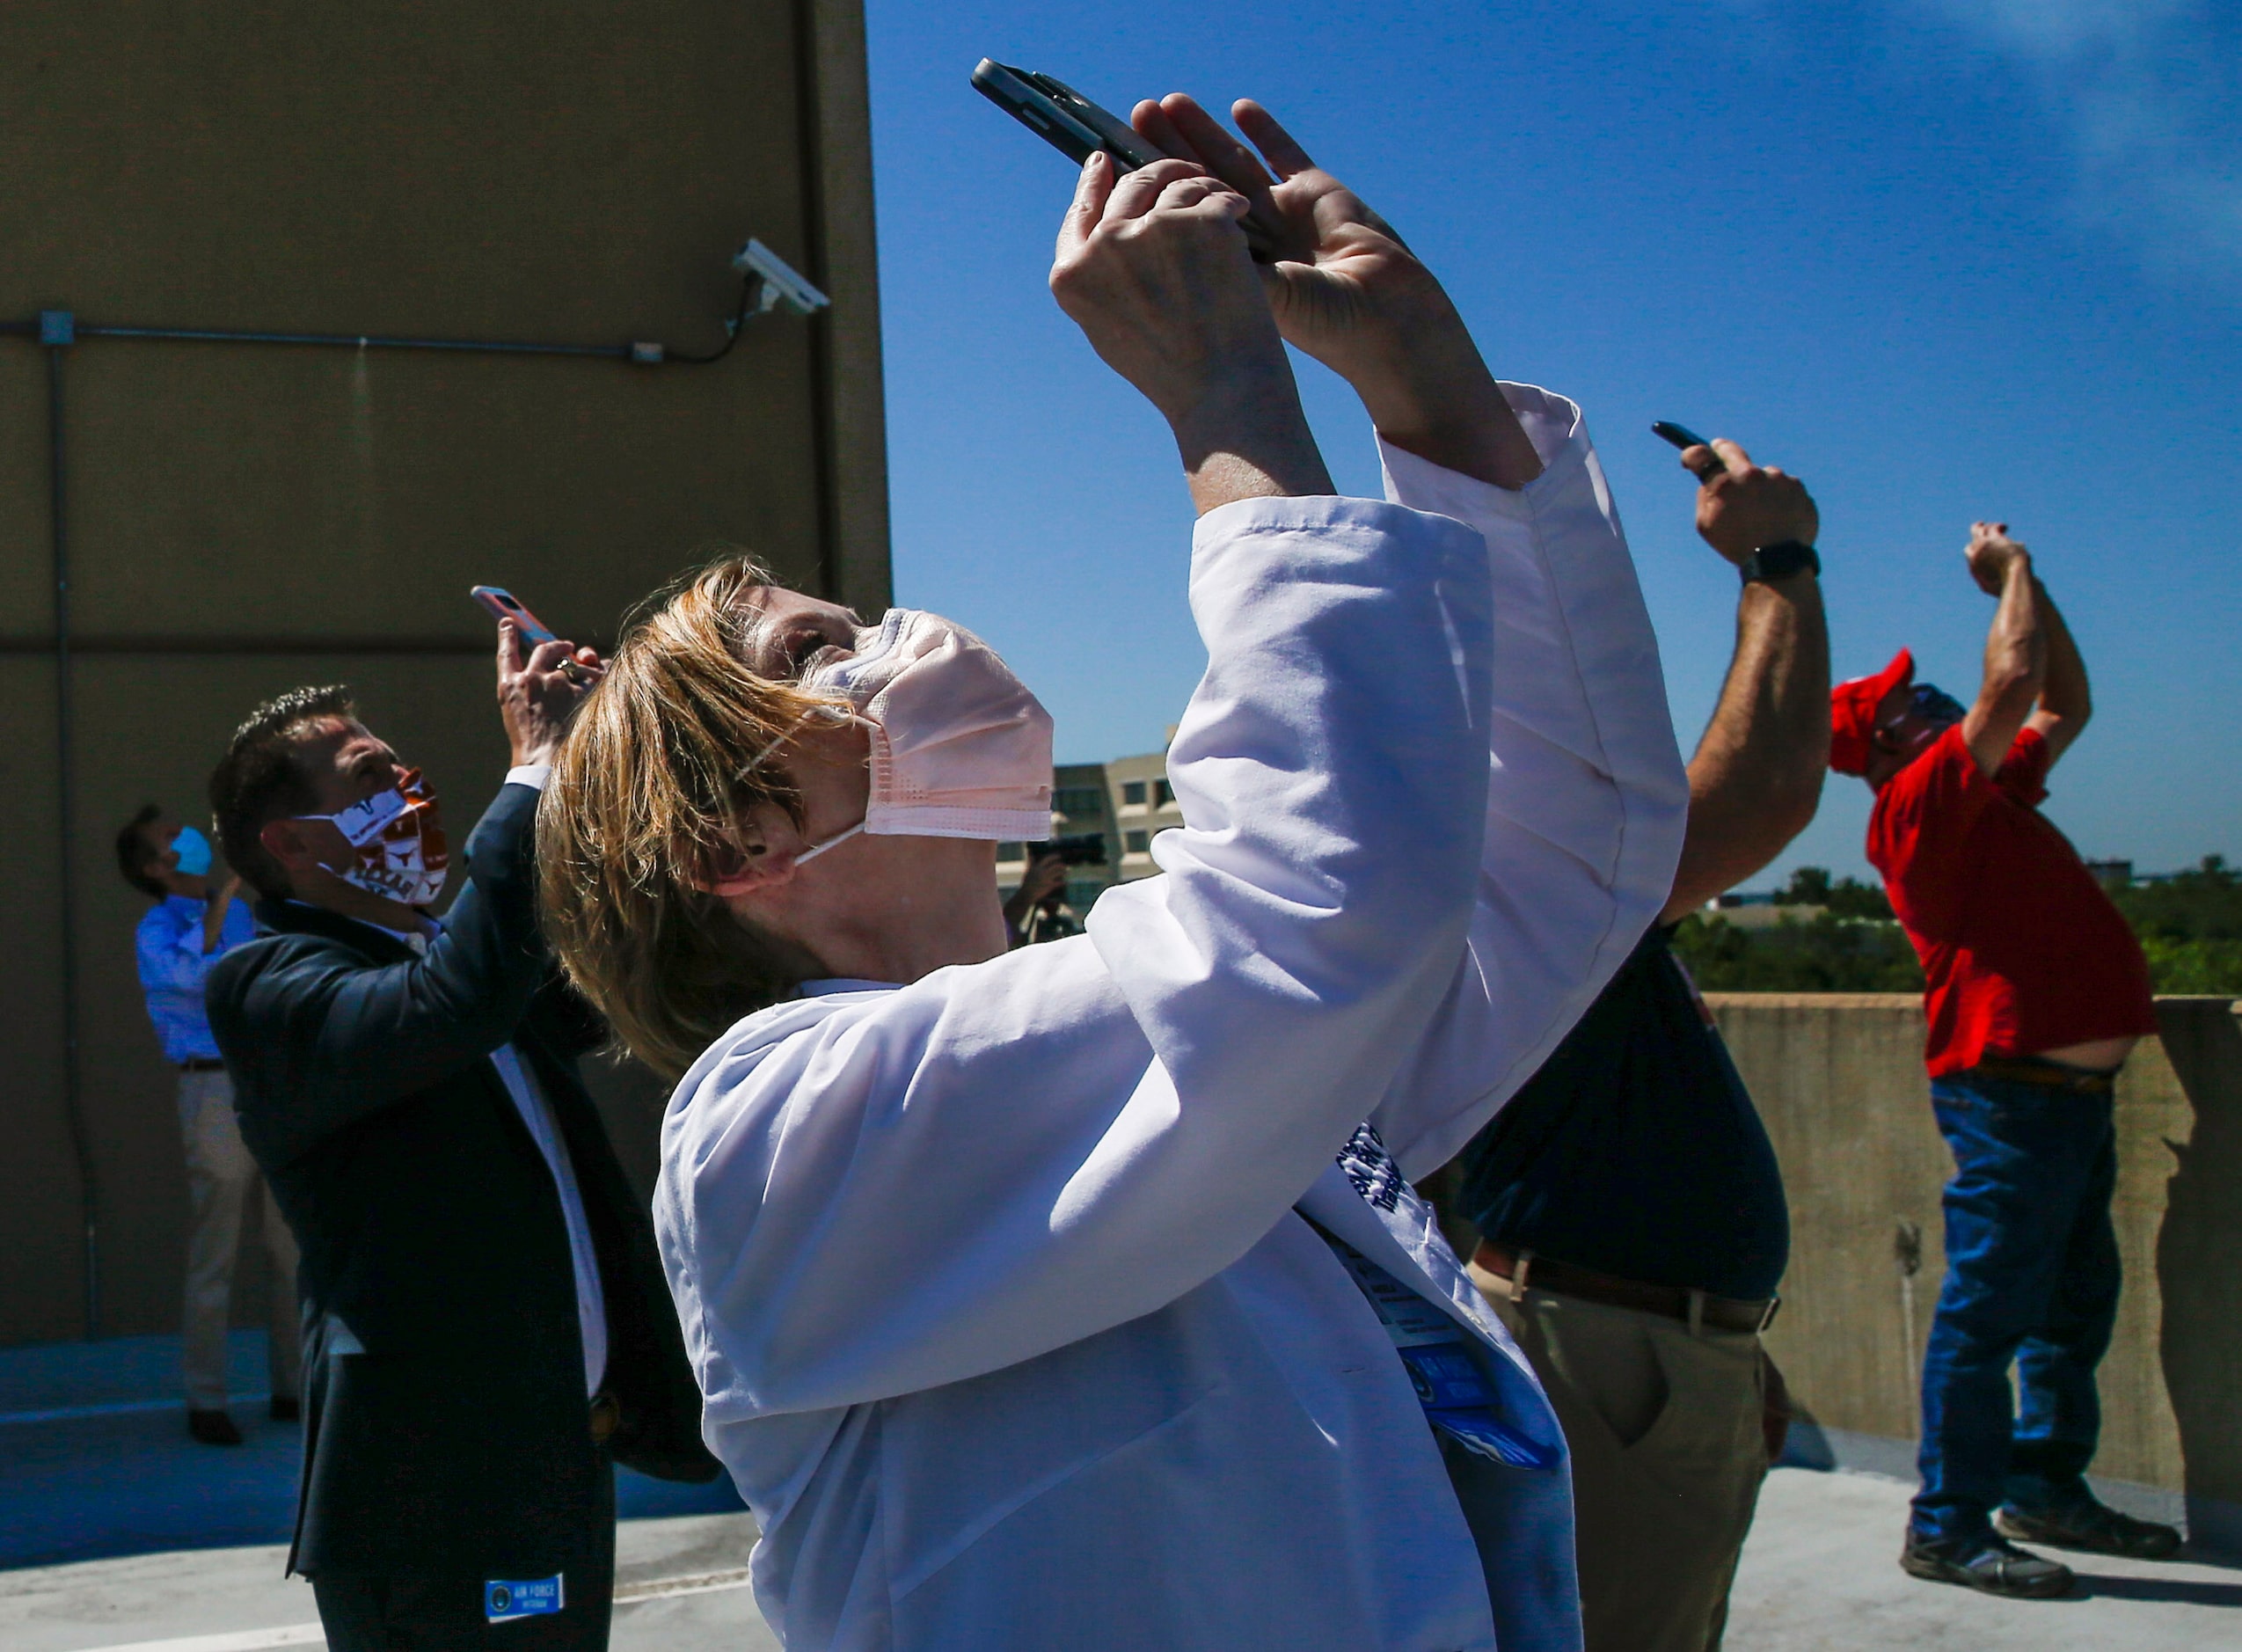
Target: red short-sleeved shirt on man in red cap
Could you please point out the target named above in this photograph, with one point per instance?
(2021, 947)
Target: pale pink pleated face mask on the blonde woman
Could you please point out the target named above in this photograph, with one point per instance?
(961, 748)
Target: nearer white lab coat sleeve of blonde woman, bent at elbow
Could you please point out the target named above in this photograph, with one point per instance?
(887, 1191)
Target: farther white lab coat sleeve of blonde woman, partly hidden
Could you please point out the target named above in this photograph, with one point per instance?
(1586, 792)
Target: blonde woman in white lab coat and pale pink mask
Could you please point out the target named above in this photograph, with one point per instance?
(1077, 1297)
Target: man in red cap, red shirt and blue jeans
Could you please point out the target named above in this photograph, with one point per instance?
(2037, 992)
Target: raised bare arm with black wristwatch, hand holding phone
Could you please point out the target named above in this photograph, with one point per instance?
(1759, 770)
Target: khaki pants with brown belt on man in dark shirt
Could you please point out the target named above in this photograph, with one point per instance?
(1667, 1460)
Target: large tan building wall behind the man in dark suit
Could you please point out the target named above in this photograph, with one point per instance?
(245, 517)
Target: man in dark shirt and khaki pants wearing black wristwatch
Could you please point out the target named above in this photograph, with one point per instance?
(1629, 1200)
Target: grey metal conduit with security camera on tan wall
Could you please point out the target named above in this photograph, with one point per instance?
(57, 333)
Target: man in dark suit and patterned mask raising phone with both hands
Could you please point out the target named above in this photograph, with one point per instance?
(485, 1317)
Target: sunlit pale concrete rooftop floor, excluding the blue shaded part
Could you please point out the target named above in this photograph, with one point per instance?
(1819, 1577)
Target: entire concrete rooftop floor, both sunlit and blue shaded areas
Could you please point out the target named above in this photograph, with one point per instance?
(122, 1537)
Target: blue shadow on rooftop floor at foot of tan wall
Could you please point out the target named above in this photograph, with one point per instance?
(93, 1465)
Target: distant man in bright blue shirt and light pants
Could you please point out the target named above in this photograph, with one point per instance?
(185, 934)
